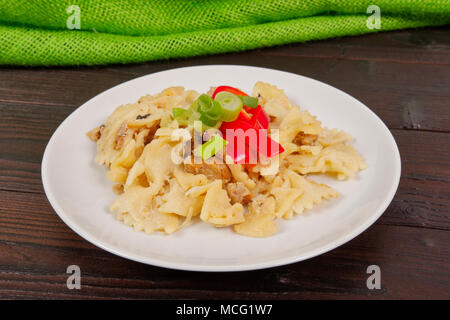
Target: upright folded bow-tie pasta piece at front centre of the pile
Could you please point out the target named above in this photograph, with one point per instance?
(217, 208)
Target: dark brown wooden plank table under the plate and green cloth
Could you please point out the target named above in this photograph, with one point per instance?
(403, 76)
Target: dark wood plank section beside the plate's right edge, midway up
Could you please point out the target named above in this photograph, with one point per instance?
(423, 196)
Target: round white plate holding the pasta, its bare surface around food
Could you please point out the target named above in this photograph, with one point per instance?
(80, 192)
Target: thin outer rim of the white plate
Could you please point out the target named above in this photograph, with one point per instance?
(381, 208)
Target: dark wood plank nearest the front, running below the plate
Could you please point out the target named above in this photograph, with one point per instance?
(414, 263)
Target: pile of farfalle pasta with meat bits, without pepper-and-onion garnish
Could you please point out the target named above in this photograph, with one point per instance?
(138, 144)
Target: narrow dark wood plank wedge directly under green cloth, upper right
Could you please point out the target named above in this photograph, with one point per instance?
(420, 46)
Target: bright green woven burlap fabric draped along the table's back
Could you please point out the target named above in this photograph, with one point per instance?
(35, 32)
